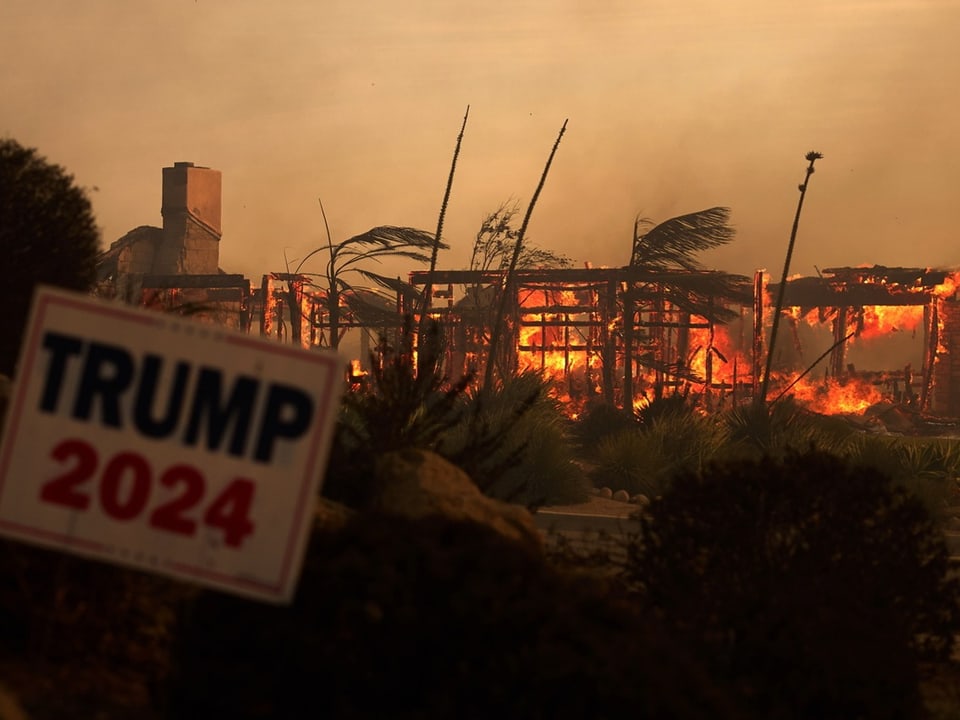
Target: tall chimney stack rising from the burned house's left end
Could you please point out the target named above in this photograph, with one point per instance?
(191, 221)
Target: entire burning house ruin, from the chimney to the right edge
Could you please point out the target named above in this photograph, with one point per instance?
(622, 335)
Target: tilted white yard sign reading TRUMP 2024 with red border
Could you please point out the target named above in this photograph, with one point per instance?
(165, 444)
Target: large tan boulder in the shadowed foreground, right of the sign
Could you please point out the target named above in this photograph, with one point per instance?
(419, 483)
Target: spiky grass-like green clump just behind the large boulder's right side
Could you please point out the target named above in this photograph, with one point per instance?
(533, 460)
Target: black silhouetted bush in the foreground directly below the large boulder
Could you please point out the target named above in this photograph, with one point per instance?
(432, 618)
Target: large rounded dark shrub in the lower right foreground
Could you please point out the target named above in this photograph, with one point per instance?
(812, 587)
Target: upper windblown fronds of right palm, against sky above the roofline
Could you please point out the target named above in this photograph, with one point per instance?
(673, 243)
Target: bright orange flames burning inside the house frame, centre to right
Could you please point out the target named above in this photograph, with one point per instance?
(559, 336)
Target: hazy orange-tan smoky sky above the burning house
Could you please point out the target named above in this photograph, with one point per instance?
(672, 106)
